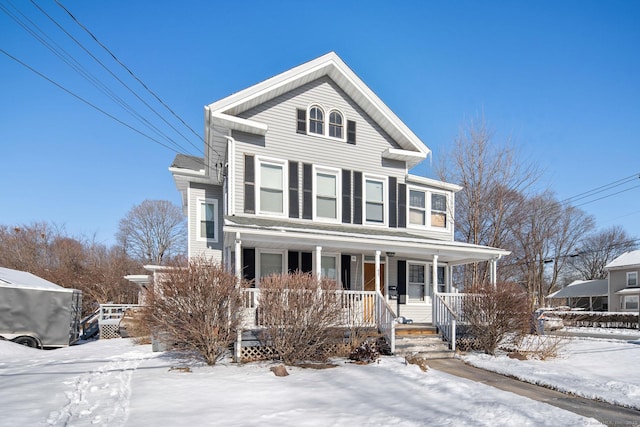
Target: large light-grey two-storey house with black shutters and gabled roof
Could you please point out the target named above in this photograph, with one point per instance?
(309, 170)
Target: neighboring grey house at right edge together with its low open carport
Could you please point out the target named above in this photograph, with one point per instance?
(619, 292)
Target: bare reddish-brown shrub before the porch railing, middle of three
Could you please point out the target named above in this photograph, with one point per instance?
(300, 316)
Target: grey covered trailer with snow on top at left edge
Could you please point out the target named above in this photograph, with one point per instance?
(36, 312)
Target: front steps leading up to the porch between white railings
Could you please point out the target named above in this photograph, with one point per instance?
(422, 340)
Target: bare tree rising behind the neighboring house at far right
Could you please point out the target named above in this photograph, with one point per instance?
(599, 249)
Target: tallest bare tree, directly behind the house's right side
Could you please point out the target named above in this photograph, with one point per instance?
(493, 179)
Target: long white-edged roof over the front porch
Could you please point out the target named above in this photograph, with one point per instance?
(298, 235)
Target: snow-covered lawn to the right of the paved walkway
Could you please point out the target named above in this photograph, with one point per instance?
(603, 369)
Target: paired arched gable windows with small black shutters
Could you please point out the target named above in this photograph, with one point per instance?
(312, 122)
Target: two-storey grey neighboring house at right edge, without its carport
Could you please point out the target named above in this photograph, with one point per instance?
(624, 290)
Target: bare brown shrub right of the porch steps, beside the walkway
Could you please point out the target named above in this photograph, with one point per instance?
(496, 314)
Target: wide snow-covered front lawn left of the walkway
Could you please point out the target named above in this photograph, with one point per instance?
(115, 383)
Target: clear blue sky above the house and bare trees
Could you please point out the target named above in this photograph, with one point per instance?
(561, 79)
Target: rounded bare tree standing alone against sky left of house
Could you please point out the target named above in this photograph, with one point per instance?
(153, 232)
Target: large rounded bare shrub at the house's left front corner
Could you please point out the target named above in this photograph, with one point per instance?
(196, 307)
